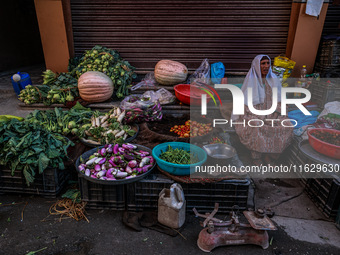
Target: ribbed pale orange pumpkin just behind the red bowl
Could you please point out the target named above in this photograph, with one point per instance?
(168, 72)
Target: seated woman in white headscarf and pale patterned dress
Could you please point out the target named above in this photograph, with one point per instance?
(266, 142)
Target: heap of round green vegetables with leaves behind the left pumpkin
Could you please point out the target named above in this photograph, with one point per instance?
(62, 87)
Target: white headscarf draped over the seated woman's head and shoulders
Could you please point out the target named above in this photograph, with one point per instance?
(254, 80)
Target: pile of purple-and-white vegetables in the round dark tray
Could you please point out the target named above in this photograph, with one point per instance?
(114, 162)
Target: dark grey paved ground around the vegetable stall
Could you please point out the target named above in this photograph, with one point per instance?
(302, 228)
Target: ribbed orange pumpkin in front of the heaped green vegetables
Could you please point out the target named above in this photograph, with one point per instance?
(95, 86)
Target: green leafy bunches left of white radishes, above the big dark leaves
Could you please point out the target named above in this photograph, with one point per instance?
(59, 121)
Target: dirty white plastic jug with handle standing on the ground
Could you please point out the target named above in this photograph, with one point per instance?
(171, 206)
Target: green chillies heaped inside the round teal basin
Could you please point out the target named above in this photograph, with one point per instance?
(178, 156)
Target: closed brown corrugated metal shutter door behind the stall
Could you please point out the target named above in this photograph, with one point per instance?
(146, 31)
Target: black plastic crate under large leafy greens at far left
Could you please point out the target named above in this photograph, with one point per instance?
(48, 184)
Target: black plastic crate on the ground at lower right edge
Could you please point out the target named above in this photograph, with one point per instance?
(325, 193)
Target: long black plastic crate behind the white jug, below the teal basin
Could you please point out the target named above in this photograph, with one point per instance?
(143, 195)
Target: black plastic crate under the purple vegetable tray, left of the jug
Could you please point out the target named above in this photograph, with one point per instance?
(100, 196)
